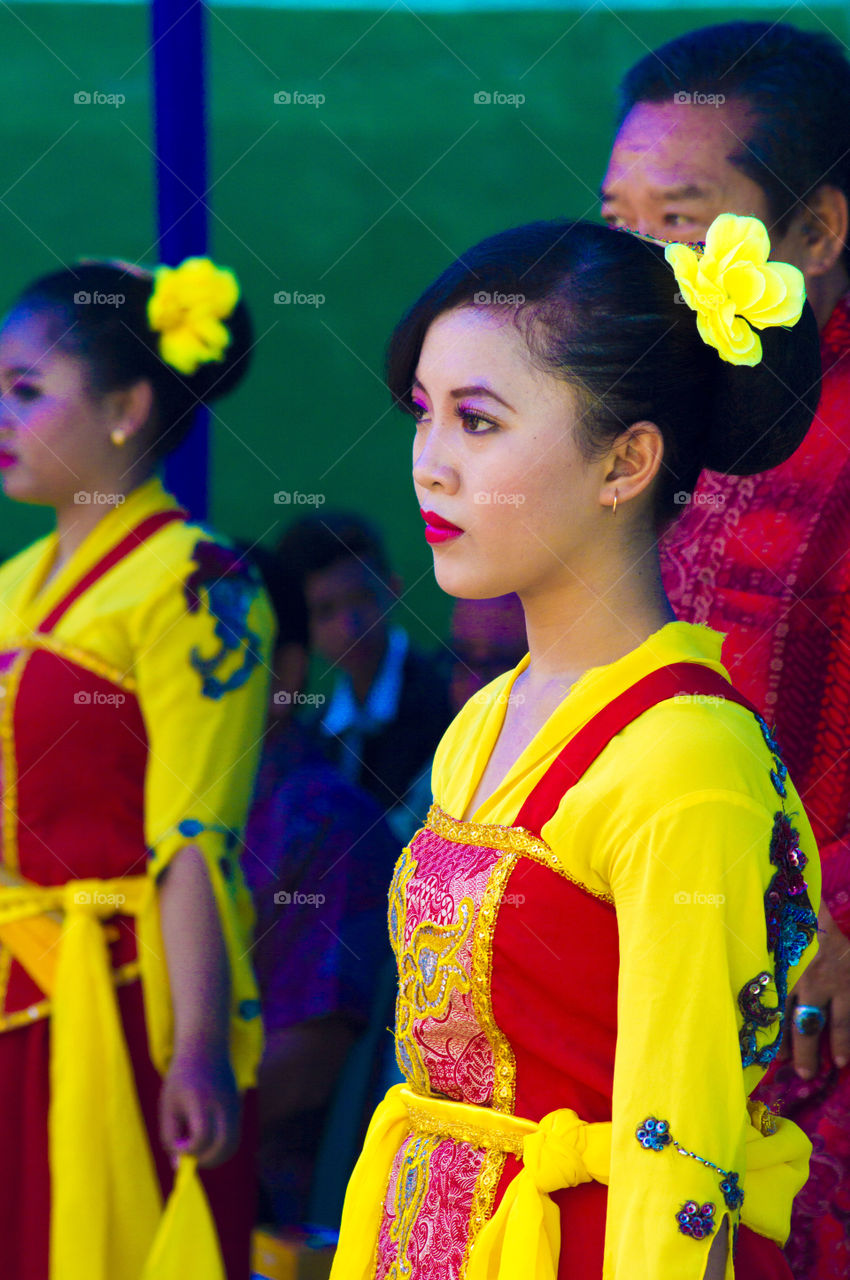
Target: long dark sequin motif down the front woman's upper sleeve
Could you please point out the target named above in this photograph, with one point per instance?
(790, 920)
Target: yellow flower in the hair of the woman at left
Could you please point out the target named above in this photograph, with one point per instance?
(188, 308)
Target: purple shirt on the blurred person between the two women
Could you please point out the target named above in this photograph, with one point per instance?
(318, 861)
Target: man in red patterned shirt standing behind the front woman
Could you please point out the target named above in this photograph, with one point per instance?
(755, 118)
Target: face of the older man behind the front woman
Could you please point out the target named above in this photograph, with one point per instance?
(670, 175)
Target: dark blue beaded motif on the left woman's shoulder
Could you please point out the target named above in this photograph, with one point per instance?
(231, 586)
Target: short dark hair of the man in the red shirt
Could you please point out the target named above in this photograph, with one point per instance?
(797, 85)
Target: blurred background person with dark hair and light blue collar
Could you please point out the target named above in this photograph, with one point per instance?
(390, 702)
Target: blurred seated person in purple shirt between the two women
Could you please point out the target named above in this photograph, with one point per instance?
(318, 860)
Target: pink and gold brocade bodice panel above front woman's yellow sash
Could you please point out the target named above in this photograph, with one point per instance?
(435, 907)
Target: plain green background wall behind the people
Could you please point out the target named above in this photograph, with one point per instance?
(363, 200)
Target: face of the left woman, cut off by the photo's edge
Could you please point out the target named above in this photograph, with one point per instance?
(54, 437)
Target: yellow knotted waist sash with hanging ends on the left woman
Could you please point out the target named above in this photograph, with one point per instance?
(106, 1197)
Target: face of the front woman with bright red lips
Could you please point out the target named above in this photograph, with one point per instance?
(496, 456)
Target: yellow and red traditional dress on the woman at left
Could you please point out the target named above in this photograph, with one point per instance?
(135, 688)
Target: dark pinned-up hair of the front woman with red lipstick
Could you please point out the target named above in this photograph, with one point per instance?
(604, 313)
